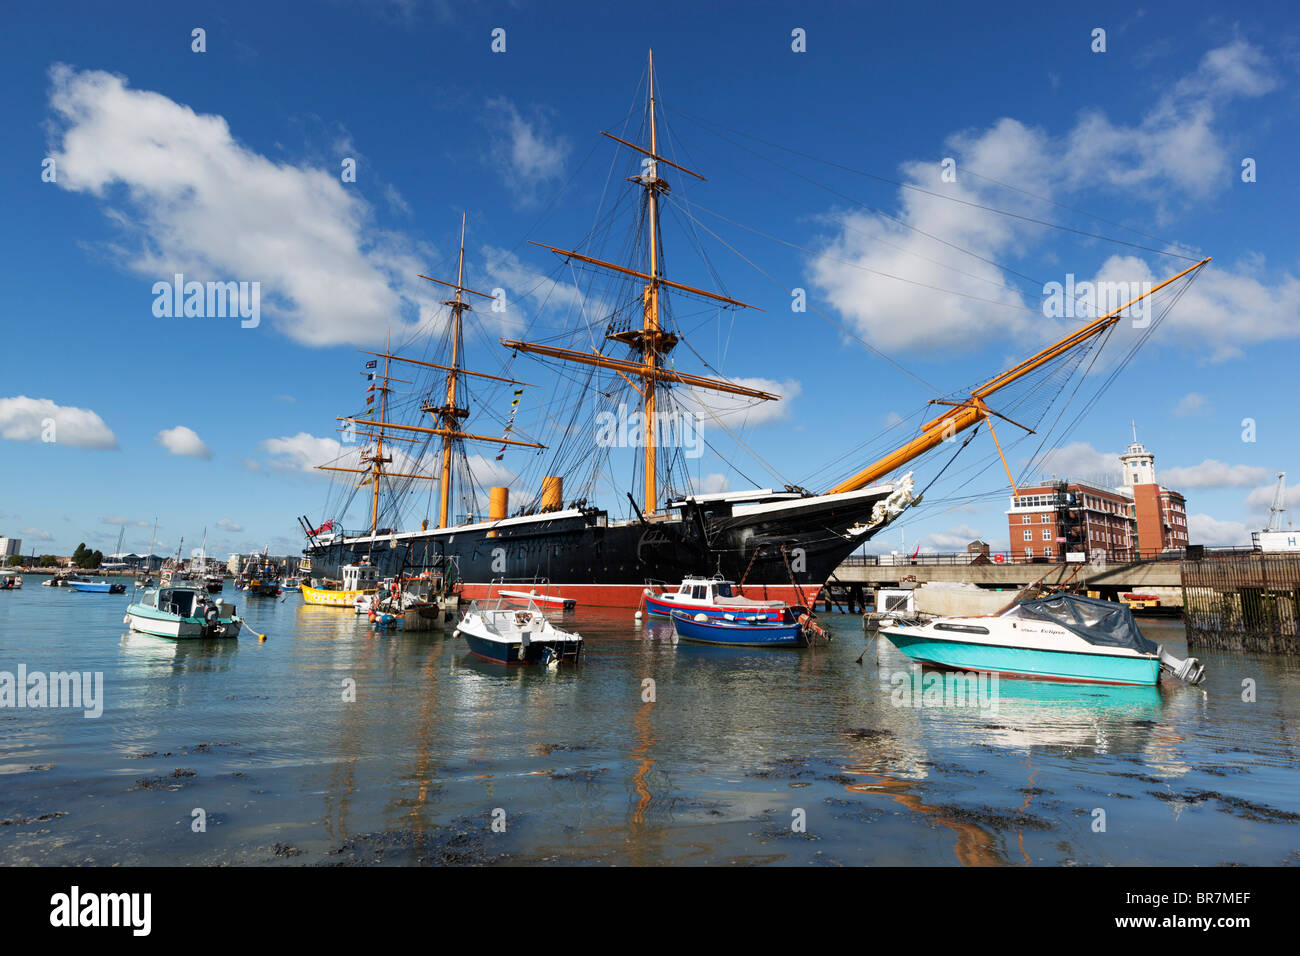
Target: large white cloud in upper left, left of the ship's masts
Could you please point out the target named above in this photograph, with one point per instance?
(197, 201)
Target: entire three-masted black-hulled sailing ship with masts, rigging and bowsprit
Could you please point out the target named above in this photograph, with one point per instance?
(587, 535)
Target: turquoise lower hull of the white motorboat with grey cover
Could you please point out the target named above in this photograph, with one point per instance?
(1028, 663)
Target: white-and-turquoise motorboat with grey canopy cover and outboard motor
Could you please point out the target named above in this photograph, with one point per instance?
(1056, 638)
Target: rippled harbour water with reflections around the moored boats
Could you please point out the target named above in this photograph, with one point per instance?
(730, 756)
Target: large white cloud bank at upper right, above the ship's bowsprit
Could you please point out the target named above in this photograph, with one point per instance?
(1173, 154)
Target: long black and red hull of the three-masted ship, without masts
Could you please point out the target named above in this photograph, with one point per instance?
(782, 547)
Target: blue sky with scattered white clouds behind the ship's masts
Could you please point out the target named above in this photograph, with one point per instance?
(226, 165)
